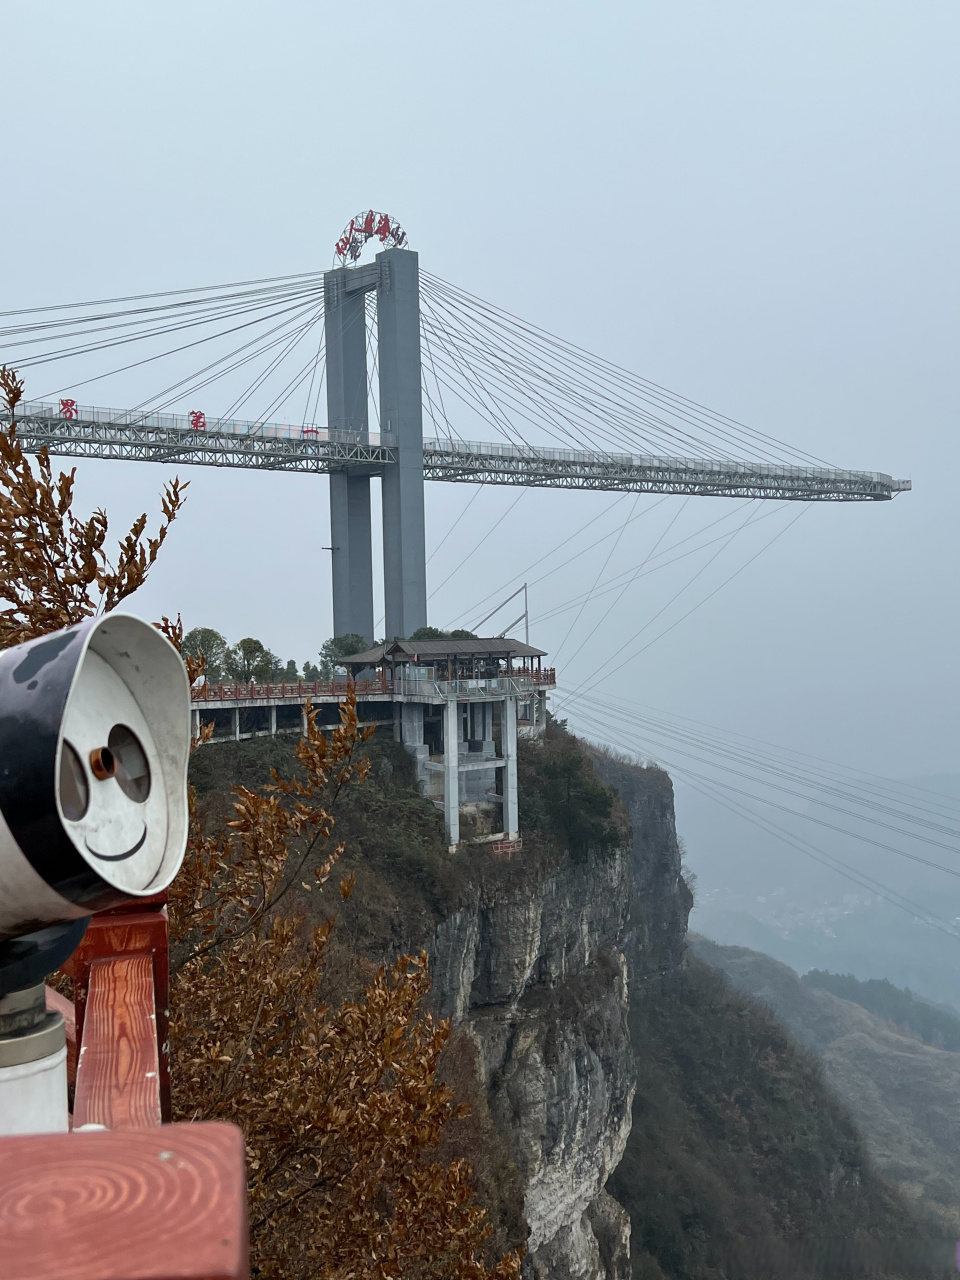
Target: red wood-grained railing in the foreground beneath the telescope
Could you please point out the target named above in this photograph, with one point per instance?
(138, 1200)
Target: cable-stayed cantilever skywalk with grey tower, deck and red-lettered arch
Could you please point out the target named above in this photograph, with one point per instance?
(412, 348)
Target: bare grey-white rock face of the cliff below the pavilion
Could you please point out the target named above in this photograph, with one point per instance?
(538, 972)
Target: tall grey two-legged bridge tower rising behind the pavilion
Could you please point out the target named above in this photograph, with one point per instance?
(395, 278)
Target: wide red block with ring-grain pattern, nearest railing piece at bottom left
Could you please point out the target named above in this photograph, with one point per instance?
(164, 1204)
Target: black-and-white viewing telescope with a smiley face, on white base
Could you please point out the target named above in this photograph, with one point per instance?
(94, 749)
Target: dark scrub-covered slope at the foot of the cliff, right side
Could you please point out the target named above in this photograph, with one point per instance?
(740, 1163)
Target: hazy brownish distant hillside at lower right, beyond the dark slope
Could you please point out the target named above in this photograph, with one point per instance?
(903, 1094)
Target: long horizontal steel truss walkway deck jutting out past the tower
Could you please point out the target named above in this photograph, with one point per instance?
(452, 463)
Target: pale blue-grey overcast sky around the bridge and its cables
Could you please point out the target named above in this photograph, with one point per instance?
(755, 204)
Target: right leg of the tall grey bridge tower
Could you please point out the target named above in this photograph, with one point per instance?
(401, 415)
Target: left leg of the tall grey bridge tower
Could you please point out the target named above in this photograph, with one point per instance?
(348, 413)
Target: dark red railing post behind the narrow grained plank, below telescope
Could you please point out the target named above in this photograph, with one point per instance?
(131, 930)
